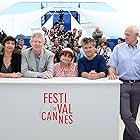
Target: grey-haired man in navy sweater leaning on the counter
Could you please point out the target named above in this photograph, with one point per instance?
(92, 65)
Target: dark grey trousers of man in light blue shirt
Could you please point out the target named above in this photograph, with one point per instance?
(129, 104)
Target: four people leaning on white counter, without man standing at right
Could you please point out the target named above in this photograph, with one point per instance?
(38, 62)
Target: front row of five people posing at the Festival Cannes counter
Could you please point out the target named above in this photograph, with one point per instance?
(123, 64)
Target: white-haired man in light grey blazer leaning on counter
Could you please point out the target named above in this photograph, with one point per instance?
(37, 62)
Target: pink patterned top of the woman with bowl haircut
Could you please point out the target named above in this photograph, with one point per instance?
(59, 70)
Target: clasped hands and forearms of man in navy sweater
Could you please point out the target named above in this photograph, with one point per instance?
(92, 75)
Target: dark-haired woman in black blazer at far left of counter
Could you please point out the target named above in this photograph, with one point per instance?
(10, 63)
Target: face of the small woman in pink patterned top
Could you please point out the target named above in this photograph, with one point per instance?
(66, 58)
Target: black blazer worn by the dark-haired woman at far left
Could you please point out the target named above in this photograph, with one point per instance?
(15, 62)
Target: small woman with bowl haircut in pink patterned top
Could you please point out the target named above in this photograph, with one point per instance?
(66, 67)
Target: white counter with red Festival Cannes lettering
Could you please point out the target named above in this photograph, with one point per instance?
(39, 109)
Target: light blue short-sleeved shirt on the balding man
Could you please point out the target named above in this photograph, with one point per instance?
(126, 60)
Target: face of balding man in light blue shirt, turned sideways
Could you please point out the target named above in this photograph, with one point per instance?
(130, 36)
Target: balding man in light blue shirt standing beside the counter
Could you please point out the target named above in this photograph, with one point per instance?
(125, 64)
